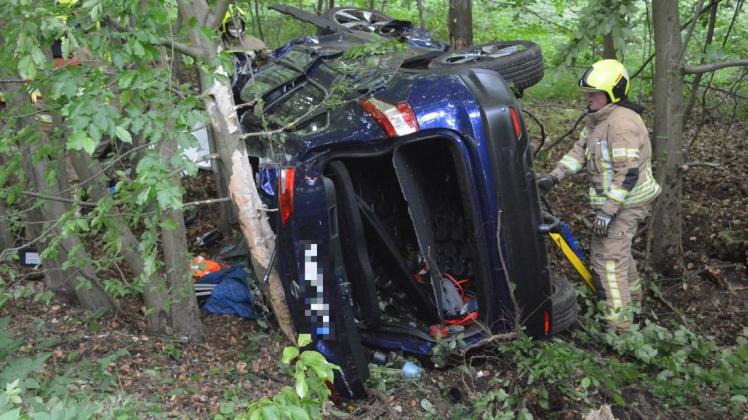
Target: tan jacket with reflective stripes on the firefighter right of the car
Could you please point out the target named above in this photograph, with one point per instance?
(615, 150)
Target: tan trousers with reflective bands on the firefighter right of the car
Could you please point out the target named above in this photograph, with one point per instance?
(613, 267)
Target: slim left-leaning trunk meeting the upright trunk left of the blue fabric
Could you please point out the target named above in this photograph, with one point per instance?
(155, 292)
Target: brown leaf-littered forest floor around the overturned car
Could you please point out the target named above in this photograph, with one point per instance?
(239, 363)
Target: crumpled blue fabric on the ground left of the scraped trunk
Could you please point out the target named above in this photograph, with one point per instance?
(231, 295)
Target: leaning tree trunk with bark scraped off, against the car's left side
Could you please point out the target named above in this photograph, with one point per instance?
(219, 103)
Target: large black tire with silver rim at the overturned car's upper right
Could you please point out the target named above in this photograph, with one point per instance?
(522, 65)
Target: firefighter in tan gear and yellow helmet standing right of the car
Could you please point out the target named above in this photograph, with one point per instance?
(615, 150)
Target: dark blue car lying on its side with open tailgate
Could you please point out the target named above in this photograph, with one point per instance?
(403, 176)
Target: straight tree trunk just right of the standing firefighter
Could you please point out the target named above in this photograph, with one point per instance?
(667, 245)
